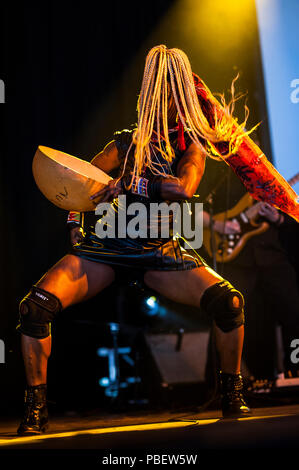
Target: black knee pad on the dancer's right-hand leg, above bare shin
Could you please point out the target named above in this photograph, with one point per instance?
(225, 304)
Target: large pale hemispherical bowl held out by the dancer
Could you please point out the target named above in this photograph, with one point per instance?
(67, 181)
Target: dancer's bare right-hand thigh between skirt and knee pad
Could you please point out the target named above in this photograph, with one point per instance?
(185, 287)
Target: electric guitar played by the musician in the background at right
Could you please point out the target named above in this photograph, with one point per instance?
(246, 212)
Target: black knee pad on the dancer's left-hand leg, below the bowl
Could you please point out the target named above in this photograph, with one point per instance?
(37, 310)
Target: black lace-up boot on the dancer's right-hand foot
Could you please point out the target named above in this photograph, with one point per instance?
(232, 400)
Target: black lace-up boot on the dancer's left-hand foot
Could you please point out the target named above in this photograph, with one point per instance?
(35, 420)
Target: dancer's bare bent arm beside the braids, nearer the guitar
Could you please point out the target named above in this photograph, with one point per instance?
(189, 173)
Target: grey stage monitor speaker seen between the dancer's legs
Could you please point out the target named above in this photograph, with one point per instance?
(180, 359)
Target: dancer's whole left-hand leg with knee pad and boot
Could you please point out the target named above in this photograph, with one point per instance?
(70, 281)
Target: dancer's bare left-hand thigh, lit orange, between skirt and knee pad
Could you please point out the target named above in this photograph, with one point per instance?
(73, 279)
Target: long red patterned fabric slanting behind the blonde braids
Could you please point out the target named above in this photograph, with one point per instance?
(257, 174)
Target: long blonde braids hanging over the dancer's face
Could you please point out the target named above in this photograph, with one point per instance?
(153, 106)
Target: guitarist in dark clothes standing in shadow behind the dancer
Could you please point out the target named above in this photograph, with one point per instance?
(262, 271)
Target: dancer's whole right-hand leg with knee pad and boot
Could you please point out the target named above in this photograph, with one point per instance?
(202, 287)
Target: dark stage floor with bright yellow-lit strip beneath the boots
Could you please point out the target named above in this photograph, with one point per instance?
(275, 428)
